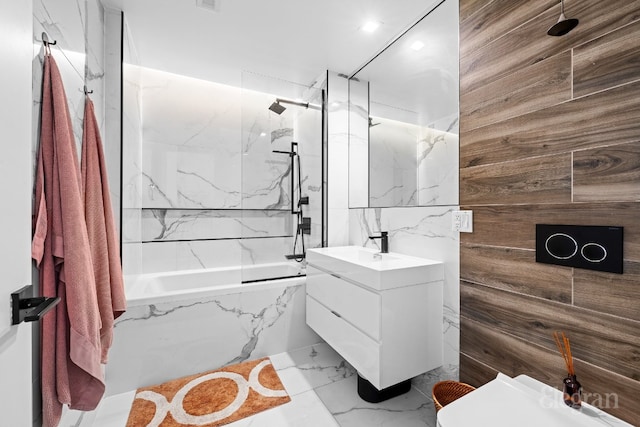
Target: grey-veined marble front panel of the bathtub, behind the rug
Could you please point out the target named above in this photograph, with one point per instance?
(158, 342)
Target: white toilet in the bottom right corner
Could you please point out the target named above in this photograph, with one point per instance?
(521, 401)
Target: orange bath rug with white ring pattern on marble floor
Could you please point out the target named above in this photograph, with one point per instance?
(209, 399)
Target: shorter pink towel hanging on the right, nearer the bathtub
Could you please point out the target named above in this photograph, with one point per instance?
(101, 228)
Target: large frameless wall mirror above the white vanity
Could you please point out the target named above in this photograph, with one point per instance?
(408, 123)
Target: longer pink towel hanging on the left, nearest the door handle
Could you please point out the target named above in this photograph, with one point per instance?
(71, 370)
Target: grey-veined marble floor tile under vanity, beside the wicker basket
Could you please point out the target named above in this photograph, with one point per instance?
(412, 409)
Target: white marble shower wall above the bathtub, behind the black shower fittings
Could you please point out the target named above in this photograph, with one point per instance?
(205, 189)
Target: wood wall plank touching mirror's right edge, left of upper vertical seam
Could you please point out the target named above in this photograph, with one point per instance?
(541, 85)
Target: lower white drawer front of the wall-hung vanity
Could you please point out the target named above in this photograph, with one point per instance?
(359, 350)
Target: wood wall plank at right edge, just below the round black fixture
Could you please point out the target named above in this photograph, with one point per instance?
(608, 61)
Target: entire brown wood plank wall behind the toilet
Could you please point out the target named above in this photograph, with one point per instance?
(550, 133)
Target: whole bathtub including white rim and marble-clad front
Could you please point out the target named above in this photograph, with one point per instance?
(186, 322)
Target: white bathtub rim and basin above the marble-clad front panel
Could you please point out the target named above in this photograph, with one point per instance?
(159, 287)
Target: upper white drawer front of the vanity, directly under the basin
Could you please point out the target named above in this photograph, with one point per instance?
(357, 305)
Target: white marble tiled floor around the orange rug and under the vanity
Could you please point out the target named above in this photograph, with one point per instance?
(323, 390)
